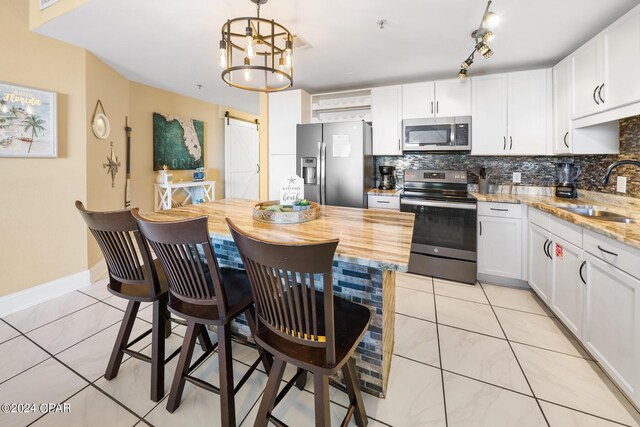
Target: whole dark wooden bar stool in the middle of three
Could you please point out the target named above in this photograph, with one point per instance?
(204, 294)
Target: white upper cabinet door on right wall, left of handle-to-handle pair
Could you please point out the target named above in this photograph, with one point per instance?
(585, 67)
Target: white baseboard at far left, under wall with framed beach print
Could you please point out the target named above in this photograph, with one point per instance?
(20, 300)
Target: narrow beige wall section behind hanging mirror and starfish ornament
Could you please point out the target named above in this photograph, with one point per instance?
(112, 89)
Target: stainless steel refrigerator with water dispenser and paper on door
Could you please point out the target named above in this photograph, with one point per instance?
(336, 163)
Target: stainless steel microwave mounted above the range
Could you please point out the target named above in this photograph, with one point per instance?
(437, 134)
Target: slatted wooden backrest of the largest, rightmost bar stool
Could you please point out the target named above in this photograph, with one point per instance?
(284, 281)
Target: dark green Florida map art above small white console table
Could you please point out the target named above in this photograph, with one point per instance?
(177, 143)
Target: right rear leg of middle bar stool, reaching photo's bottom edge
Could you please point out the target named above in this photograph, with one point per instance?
(227, 399)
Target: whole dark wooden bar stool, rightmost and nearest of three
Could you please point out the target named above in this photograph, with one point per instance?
(298, 324)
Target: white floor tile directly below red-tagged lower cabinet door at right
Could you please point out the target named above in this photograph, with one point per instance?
(540, 331)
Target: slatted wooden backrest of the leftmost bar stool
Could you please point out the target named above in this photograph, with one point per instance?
(127, 256)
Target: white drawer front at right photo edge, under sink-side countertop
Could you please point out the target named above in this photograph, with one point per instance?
(613, 252)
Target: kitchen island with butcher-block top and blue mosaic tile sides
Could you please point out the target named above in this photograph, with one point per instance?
(374, 245)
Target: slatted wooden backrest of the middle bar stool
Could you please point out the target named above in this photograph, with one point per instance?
(187, 258)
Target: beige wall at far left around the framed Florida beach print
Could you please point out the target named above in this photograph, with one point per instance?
(43, 237)
